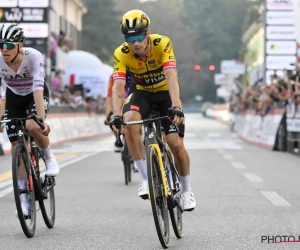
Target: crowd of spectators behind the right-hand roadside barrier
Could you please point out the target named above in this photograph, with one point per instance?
(264, 97)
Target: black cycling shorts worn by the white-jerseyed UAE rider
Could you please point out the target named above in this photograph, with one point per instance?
(20, 107)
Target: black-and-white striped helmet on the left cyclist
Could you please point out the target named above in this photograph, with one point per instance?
(11, 33)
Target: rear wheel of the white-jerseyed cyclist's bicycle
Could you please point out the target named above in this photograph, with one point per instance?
(48, 216)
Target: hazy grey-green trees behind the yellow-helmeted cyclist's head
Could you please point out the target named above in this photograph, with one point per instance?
(203, 32)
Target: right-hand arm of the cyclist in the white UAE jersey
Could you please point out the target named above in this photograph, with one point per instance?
(38, 84)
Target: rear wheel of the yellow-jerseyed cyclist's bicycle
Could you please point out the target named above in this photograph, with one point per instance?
(175, 213)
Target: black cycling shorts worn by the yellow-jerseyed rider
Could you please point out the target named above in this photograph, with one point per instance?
(141, 102)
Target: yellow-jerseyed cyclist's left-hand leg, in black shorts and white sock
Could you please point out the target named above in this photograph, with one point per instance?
(137, 107)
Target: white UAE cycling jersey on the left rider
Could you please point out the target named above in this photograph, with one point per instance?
(29, 77)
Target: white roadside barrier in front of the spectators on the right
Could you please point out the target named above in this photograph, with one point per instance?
(278, 130)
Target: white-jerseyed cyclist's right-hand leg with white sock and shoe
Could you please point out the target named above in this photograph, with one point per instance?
(41, 140)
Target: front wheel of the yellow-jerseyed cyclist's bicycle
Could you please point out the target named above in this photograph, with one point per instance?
(158, 200)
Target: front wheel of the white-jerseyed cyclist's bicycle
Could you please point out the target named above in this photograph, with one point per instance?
(21, 157)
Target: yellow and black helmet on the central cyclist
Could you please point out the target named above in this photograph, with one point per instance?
(134, 22)
